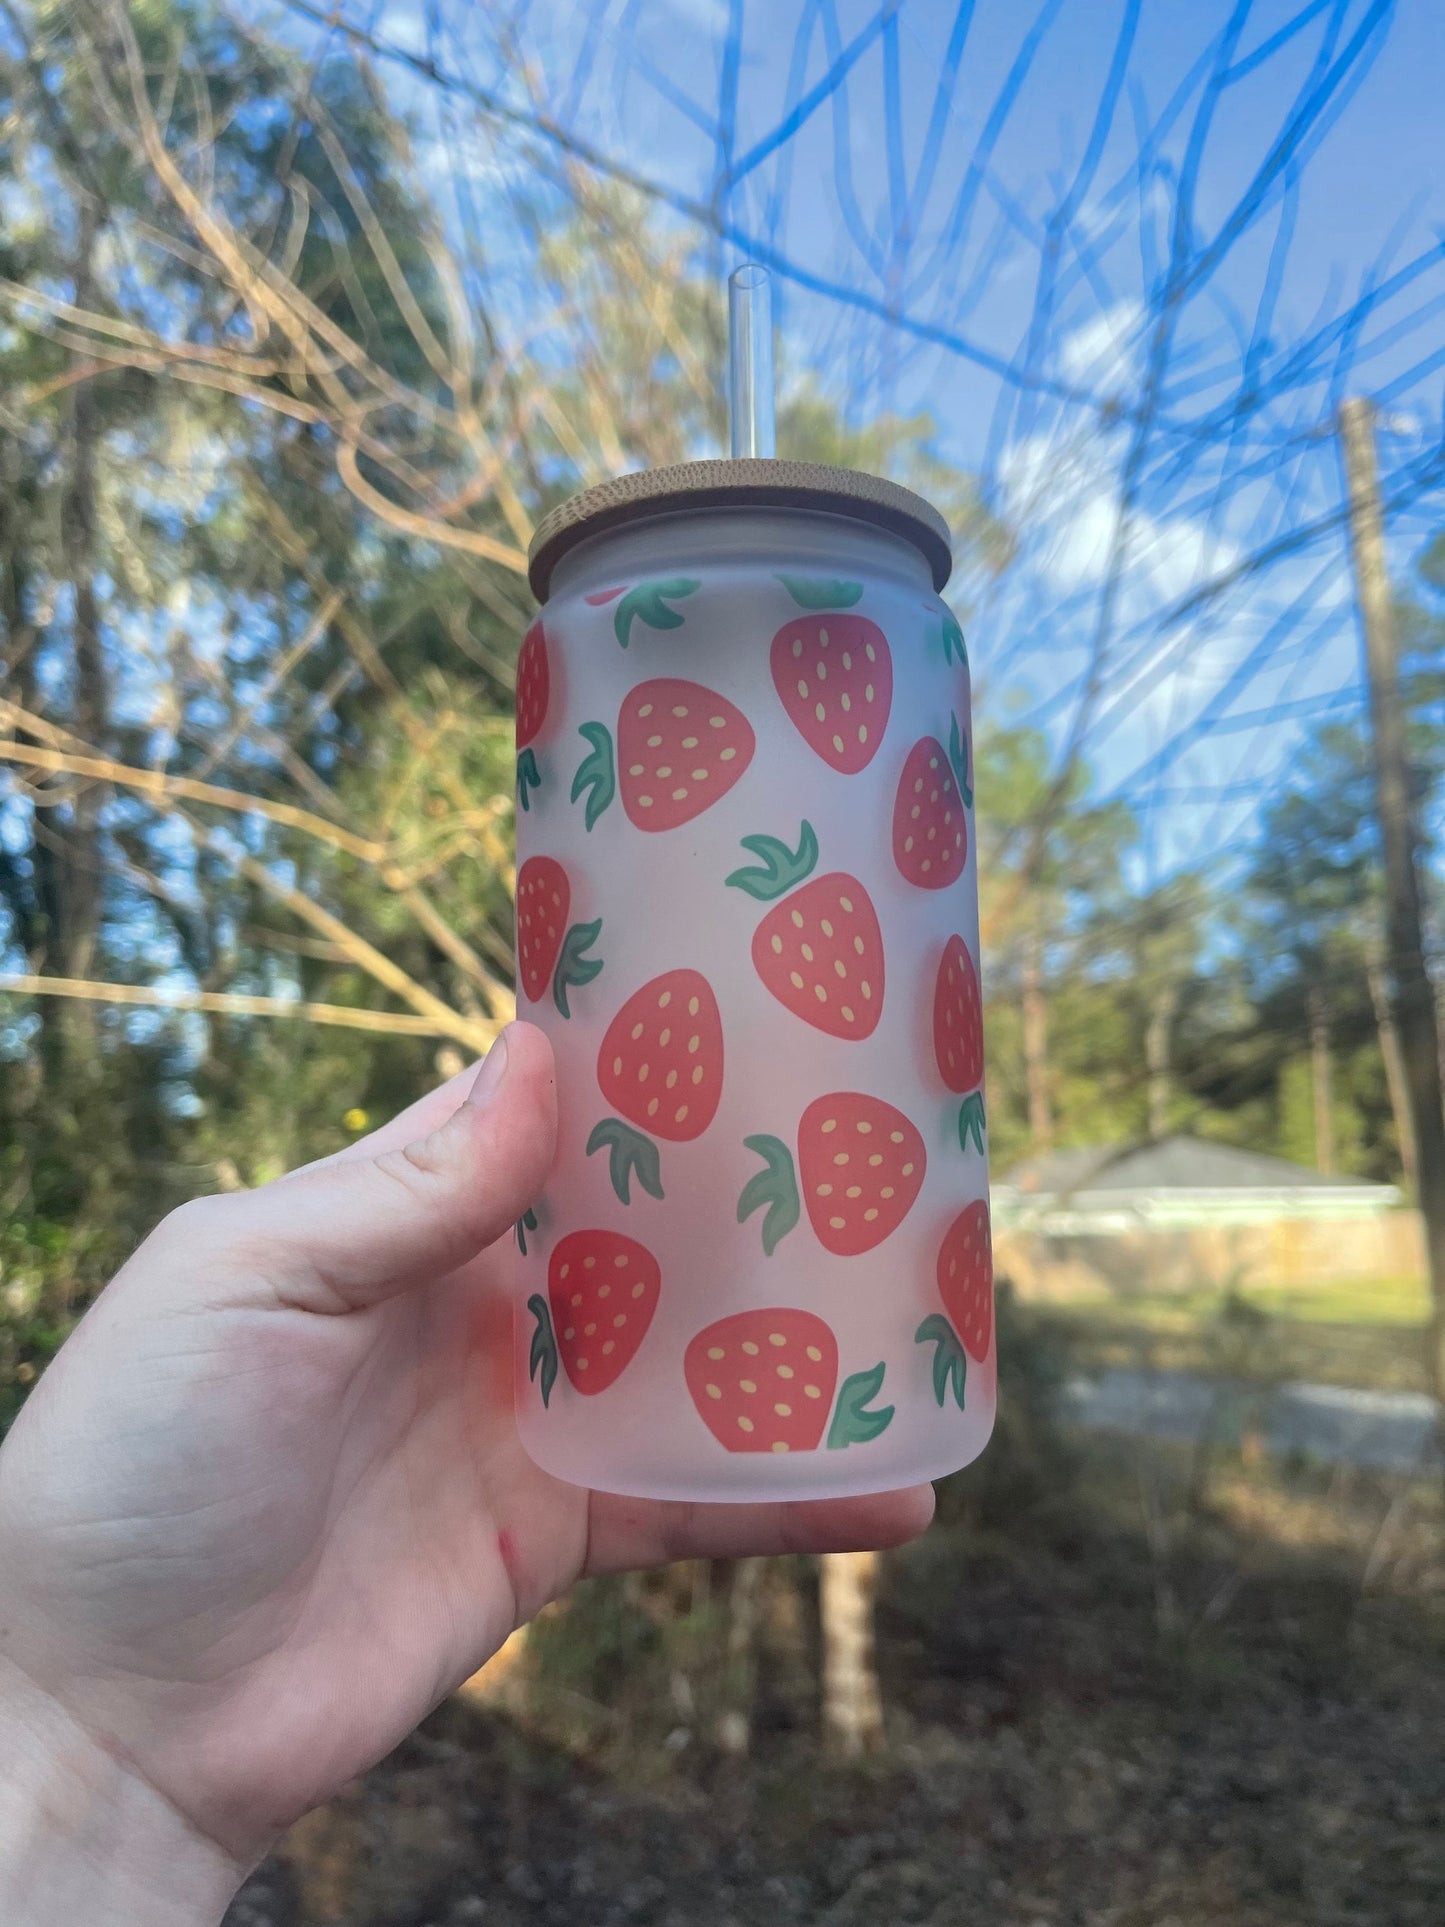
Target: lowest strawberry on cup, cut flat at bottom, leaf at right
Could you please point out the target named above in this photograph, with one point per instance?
(764, 1383)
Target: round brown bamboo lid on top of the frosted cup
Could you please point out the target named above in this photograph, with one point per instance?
(739, 485)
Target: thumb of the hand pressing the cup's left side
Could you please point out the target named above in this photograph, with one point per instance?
(350, 1234)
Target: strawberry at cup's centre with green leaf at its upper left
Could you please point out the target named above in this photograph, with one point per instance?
(820, 951)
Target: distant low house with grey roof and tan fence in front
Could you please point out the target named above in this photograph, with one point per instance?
(1184, 1213)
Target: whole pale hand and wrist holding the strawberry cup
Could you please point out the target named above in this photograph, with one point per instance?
(269, 1508)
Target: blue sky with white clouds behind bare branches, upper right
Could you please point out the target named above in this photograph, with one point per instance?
(889, 196)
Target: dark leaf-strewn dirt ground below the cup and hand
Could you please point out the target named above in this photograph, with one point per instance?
(1120, 1712)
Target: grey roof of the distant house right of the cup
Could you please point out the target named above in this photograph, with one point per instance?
(1178, 1165)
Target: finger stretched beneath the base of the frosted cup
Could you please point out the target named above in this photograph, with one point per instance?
(641, 1533)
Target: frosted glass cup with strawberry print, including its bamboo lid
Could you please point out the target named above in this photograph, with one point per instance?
(749, 920)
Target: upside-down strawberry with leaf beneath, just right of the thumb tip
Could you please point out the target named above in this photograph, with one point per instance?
(662, 1067)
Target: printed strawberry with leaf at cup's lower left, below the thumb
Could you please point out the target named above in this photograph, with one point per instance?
(604, 1292)
